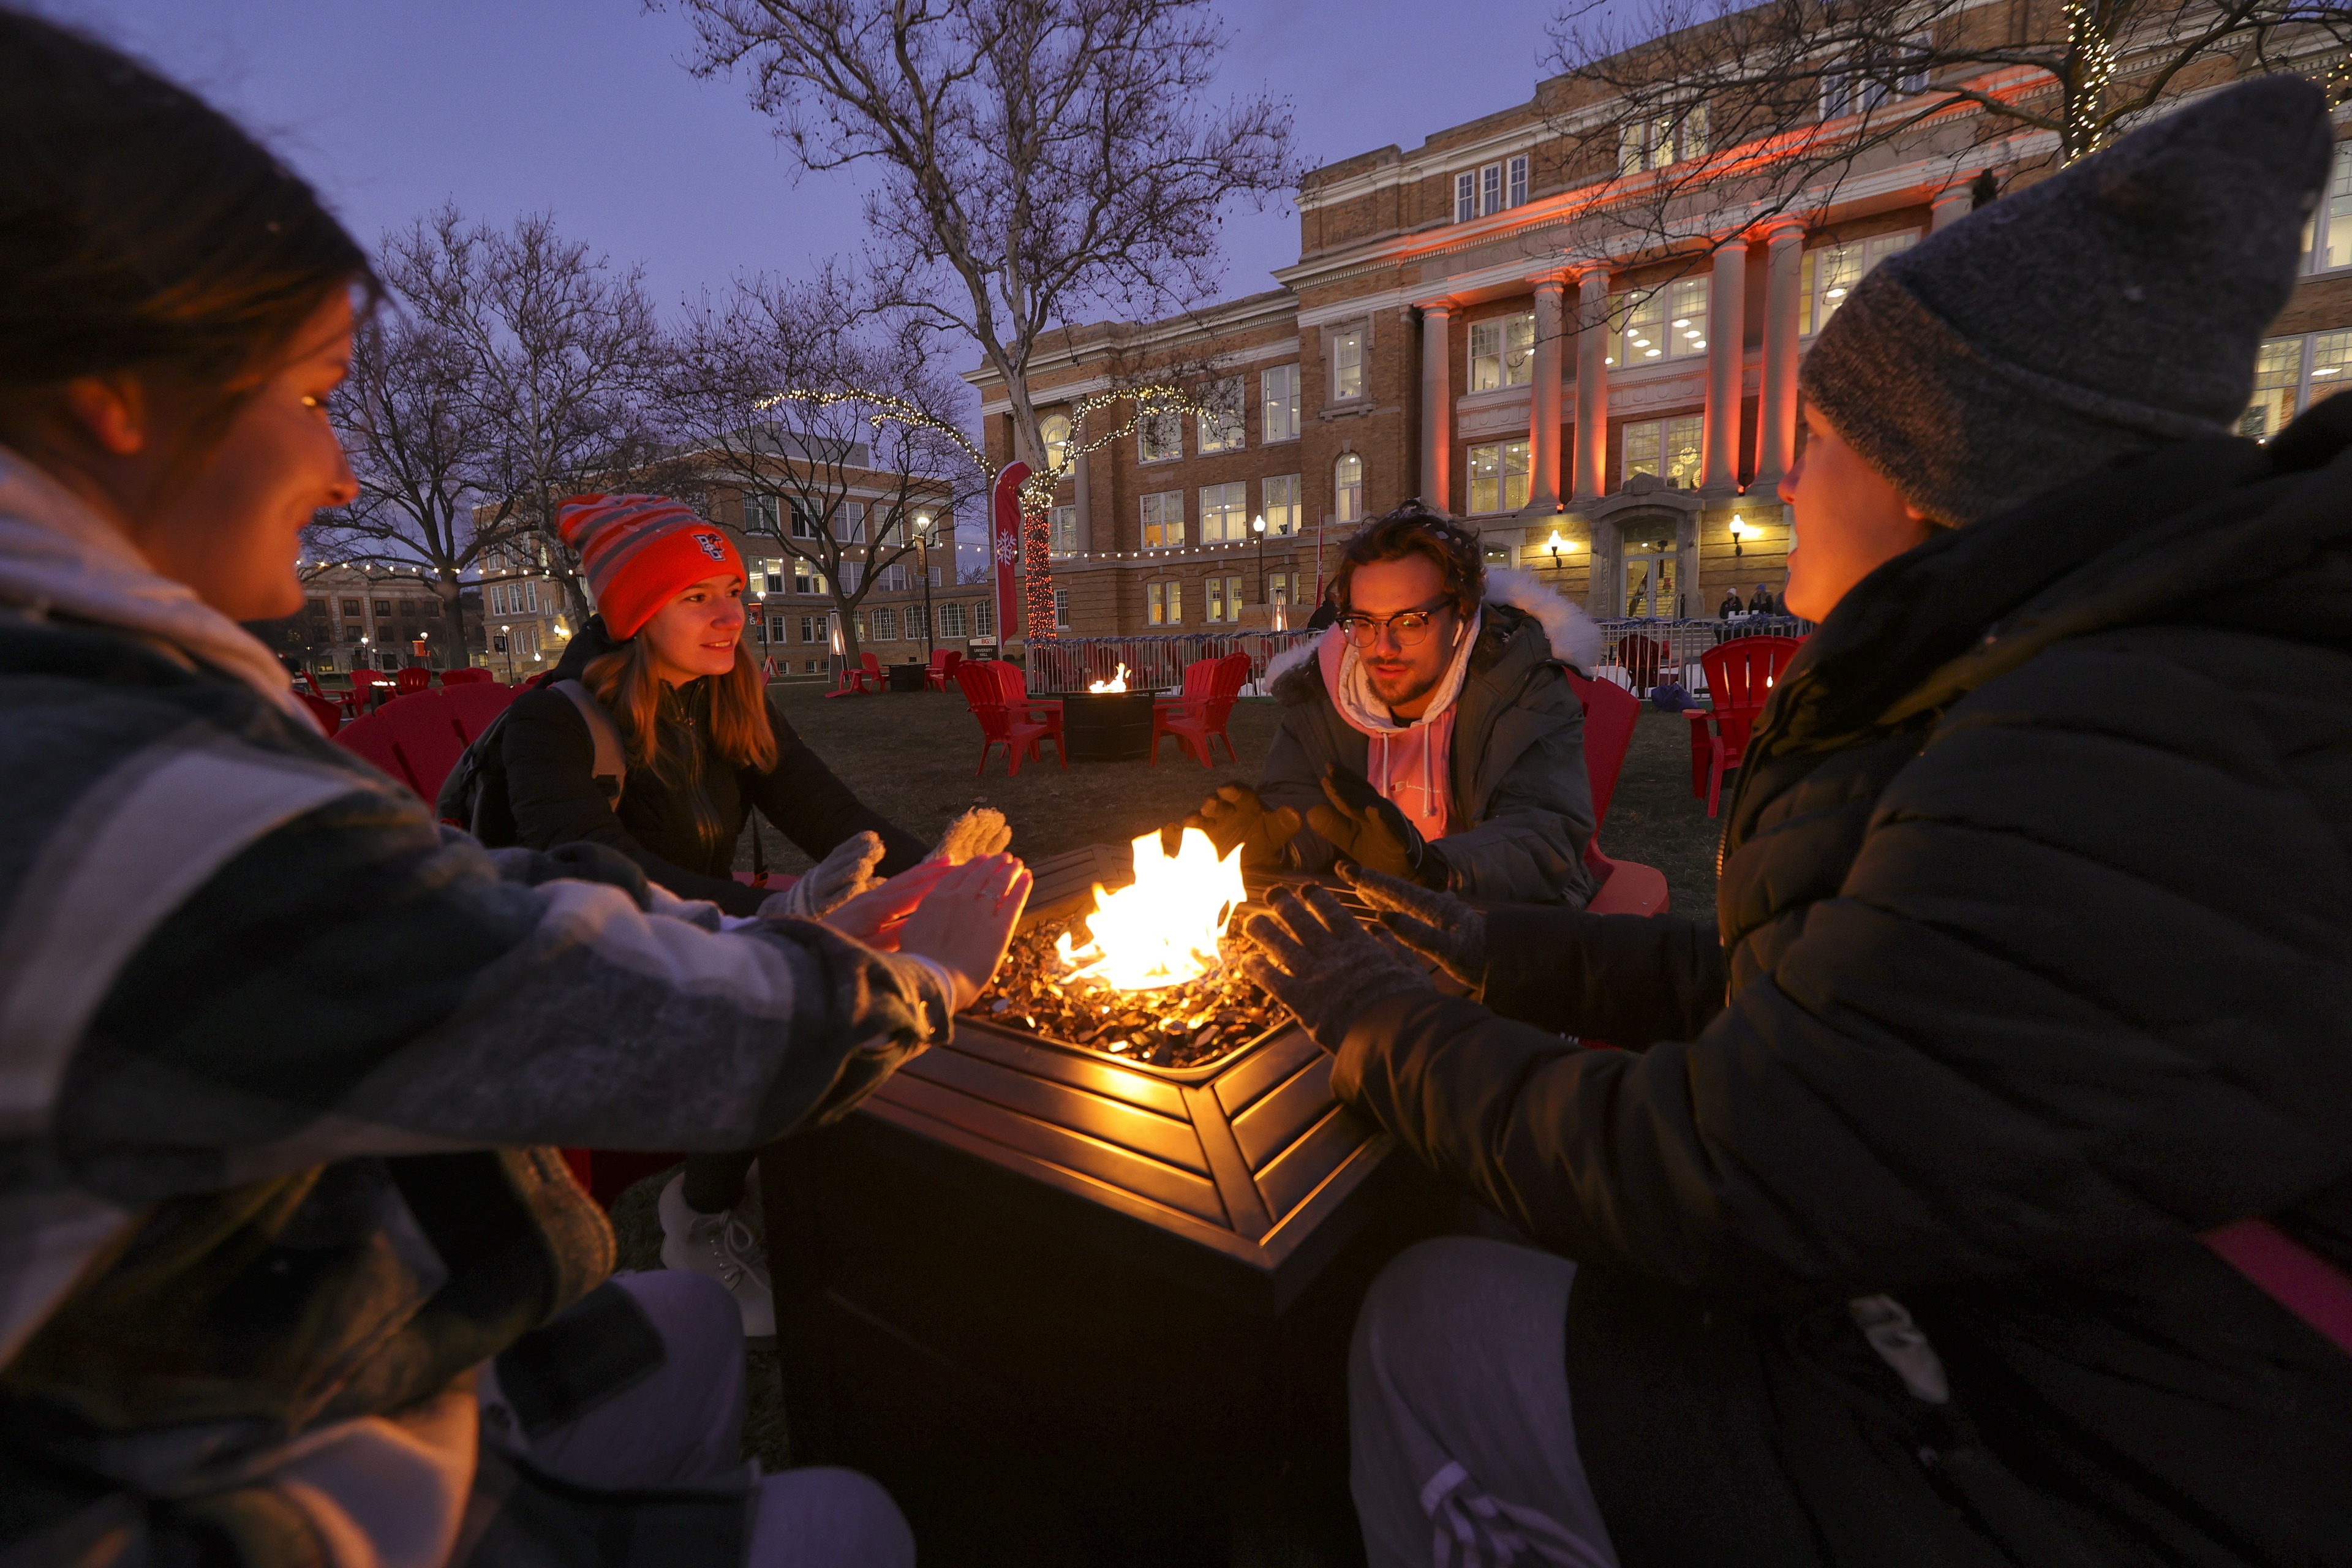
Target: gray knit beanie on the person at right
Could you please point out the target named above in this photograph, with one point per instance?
(2106, 311)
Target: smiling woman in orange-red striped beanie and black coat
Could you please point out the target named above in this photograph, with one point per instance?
(702, 744)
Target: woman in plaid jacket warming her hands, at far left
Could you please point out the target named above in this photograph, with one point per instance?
(288, 1273)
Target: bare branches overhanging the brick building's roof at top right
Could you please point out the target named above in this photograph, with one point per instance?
(1699, 107)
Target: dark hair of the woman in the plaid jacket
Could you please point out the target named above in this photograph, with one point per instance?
(140, 229)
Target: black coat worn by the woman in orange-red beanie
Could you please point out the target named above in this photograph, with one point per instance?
(681, 826)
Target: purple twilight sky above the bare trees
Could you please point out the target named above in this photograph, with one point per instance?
(582, 107)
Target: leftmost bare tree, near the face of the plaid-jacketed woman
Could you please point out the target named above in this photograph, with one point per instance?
(422, 450)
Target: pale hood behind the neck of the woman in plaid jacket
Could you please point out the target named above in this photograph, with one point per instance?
(60, 556)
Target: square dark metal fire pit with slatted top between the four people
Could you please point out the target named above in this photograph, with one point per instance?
(1088, 1311)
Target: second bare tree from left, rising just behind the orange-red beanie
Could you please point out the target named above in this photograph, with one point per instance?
(559, 351)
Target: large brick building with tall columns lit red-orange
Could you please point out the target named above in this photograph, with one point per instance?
(1605, 415)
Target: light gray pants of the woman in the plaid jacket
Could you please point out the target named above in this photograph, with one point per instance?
(686, 1423)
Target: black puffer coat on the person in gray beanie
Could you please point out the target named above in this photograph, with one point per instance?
(2031, 965)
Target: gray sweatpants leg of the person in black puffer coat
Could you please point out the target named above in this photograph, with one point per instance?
(1464, 1449)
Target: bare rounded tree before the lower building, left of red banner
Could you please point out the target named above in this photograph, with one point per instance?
(836, 429)
